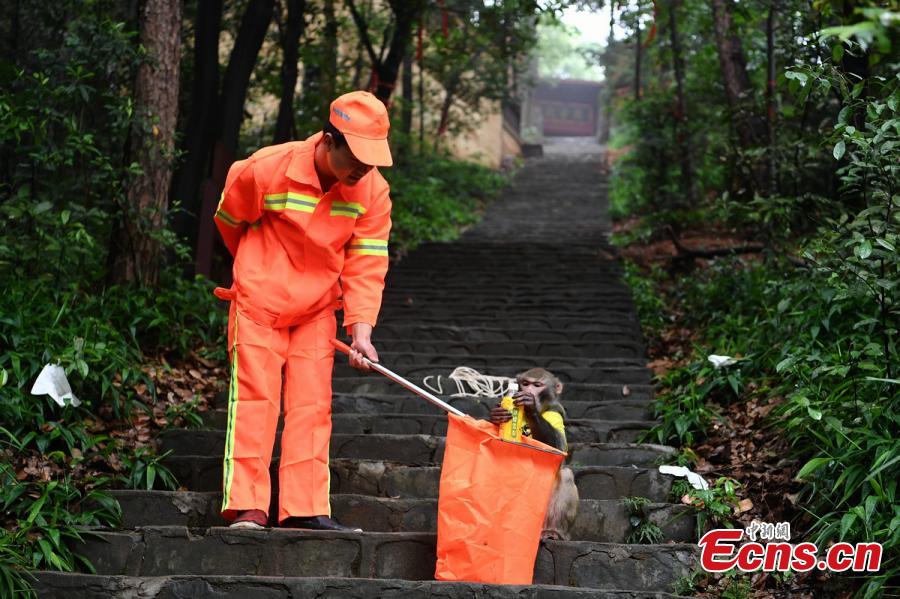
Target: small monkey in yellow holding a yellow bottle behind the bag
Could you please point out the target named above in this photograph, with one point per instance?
(538, 394)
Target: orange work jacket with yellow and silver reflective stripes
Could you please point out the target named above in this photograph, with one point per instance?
(295, 249)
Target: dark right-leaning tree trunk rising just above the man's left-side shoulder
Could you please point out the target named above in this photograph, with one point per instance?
(249, 40)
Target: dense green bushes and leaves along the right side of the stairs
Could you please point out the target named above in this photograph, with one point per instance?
(819, 331)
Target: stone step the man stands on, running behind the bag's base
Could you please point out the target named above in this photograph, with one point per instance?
(173, 550)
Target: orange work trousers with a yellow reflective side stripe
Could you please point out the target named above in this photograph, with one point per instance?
(267, 364)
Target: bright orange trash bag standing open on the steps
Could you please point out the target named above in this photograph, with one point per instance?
(492, 502)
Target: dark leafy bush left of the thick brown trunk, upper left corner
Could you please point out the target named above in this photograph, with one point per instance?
(65, 113)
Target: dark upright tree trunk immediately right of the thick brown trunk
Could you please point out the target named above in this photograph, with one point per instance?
(198, 135)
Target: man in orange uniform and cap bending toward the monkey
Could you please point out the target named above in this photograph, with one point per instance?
(307, 223)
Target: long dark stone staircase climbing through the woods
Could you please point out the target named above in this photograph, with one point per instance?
(534, 284)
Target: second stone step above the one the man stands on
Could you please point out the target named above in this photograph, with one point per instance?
(389, 479)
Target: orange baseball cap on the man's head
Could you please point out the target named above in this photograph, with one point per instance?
(363, 120)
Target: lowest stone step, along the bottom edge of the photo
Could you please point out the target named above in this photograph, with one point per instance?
(68, 585)
